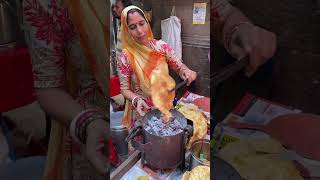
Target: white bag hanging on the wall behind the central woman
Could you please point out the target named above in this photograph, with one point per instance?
(171, 32)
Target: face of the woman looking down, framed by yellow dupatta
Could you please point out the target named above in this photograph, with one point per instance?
(138, 27)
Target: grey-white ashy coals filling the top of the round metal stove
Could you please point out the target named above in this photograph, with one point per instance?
(156, 127)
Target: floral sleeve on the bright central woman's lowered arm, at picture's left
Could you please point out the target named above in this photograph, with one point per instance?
(124, 71)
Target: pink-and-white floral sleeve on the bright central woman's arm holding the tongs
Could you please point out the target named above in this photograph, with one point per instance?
(172, 59)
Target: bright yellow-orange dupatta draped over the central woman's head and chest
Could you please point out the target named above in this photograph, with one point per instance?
(143, 61)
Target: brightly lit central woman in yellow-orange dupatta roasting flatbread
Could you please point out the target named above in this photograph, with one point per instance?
(141, 52)
